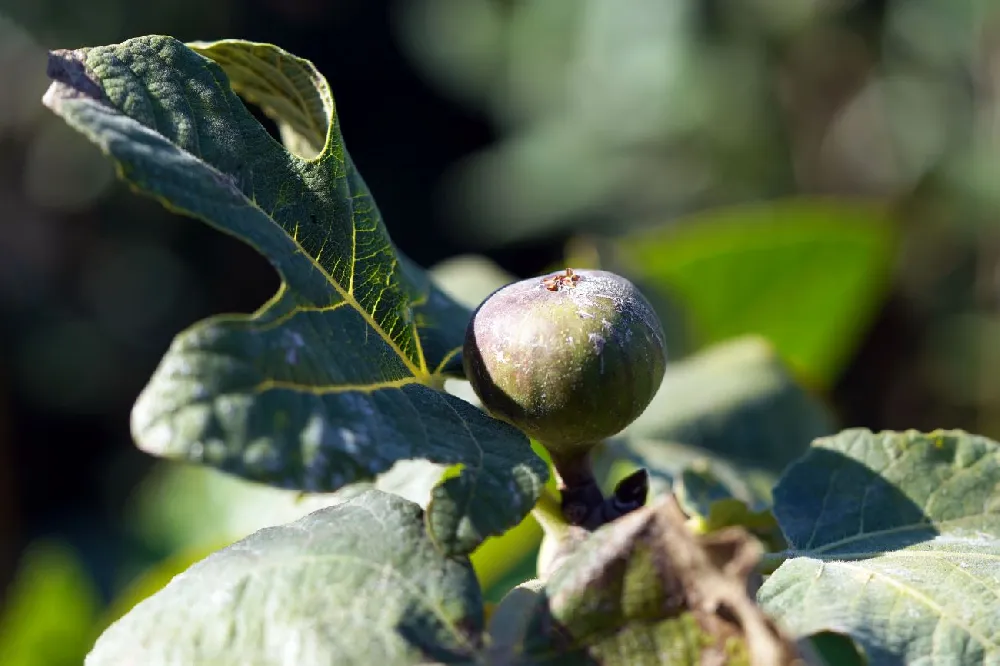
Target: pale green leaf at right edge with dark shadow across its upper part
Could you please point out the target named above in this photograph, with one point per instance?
(894, 540)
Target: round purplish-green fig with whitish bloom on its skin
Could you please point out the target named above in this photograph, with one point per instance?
(569, 358)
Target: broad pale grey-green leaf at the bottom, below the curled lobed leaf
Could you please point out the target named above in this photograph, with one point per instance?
(357, 583)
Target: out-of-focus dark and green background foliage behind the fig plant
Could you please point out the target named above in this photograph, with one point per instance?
(818, 172)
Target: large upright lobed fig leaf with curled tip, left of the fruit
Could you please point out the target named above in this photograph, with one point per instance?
(339, 376)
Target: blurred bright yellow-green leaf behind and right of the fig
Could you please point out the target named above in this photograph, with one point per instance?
(807, 274)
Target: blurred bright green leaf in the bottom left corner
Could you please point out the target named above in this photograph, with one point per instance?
(50, 609)
